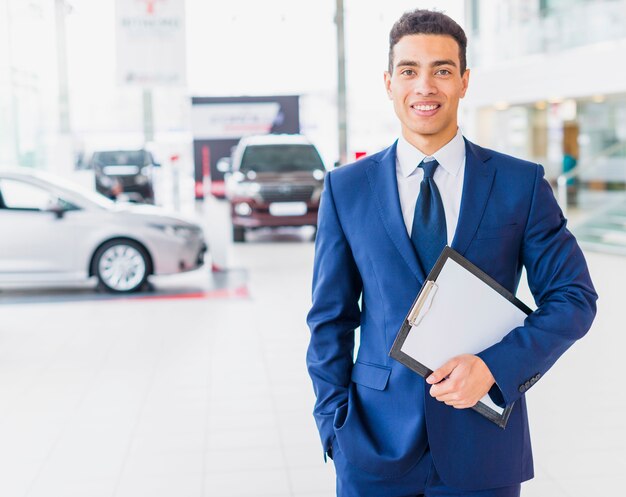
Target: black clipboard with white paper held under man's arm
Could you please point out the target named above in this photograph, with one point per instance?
(459, 310)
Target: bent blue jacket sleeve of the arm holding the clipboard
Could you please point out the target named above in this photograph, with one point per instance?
(566, 300)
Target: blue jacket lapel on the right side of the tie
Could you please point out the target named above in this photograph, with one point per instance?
(477, 184)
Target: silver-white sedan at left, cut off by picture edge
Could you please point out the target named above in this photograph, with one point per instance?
(55, 231)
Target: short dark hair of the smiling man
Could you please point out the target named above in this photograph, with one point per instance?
(427, 22)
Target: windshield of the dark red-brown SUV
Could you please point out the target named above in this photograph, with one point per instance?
(280, 158)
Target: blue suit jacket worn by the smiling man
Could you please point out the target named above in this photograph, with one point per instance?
(367, 275)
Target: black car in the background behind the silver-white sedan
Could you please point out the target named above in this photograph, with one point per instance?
(125, 172)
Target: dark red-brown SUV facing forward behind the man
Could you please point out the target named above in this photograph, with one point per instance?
(274, 180)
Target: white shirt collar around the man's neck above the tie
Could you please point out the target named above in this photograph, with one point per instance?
(450, 156)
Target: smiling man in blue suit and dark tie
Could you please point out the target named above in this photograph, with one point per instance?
(383, 220)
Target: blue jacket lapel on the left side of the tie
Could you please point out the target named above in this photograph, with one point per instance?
(384, 184)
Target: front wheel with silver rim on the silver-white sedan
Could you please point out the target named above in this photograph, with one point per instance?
(121, 266)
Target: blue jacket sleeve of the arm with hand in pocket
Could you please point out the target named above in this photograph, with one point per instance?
(333, 317)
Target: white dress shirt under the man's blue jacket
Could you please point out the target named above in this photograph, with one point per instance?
(448, 178)
